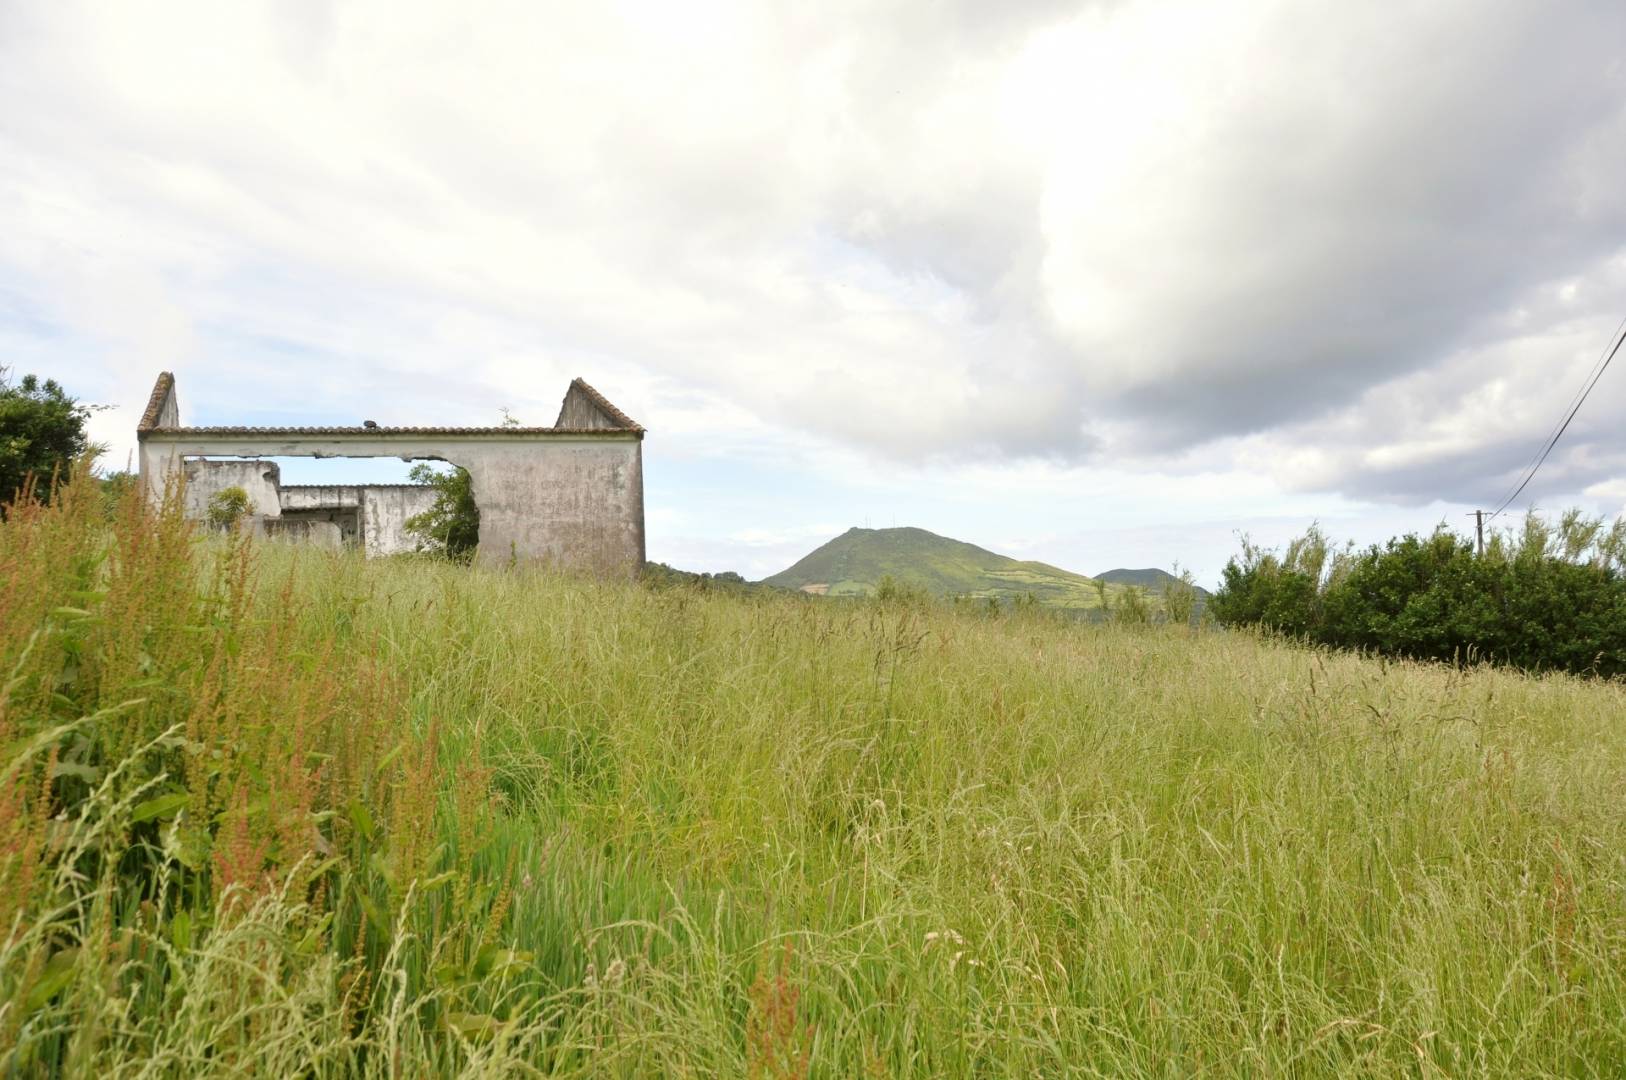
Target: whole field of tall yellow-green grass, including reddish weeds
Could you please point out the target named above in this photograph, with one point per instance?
(277, 812)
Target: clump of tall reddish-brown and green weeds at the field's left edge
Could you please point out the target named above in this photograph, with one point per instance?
(189, 796)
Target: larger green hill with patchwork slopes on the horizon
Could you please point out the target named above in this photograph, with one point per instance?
(858, 560)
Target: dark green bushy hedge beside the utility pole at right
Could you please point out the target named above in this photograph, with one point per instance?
(1550, 596)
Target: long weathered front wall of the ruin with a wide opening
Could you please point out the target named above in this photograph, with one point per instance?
(572, 500)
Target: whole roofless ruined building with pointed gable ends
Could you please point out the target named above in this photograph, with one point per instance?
(570, 495)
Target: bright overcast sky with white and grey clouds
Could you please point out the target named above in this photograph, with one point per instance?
(1098, 284)
